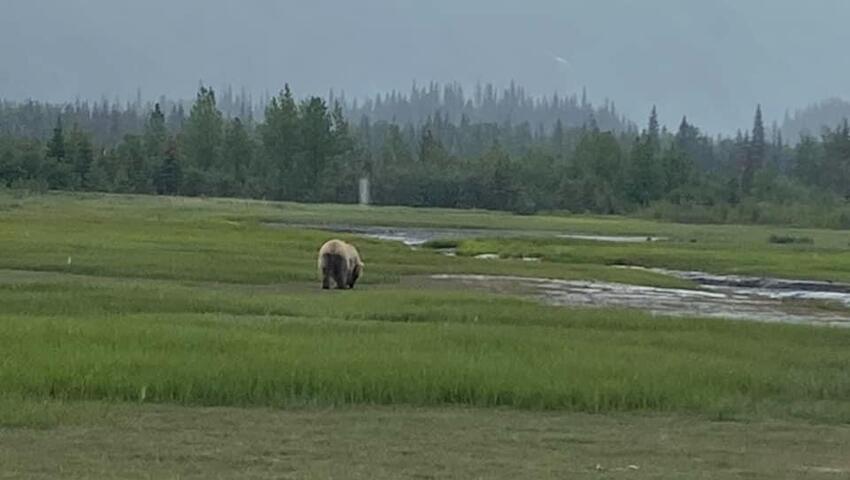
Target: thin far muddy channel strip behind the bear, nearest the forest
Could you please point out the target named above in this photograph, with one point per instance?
(416, 236)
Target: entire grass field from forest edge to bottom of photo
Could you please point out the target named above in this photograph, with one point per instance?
(173, 308)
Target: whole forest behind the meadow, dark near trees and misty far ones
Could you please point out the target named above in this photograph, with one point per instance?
(434, 146)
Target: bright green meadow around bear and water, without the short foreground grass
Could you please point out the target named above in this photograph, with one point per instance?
(124, 302)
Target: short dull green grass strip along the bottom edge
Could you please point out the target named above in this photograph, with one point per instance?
(117, 441)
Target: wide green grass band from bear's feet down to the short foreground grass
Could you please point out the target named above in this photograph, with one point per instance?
(131, 342)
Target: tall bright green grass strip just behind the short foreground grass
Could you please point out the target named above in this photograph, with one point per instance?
(222, 360)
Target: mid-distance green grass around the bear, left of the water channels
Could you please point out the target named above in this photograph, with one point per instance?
(218, 240)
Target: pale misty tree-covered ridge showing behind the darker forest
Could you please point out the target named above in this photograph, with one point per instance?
(450, 103)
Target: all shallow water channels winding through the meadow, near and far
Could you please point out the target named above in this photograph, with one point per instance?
(723, 296)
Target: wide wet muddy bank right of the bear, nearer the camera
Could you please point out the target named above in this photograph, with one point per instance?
(661, 301)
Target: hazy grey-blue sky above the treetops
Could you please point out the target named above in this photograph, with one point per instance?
(710, 59)
